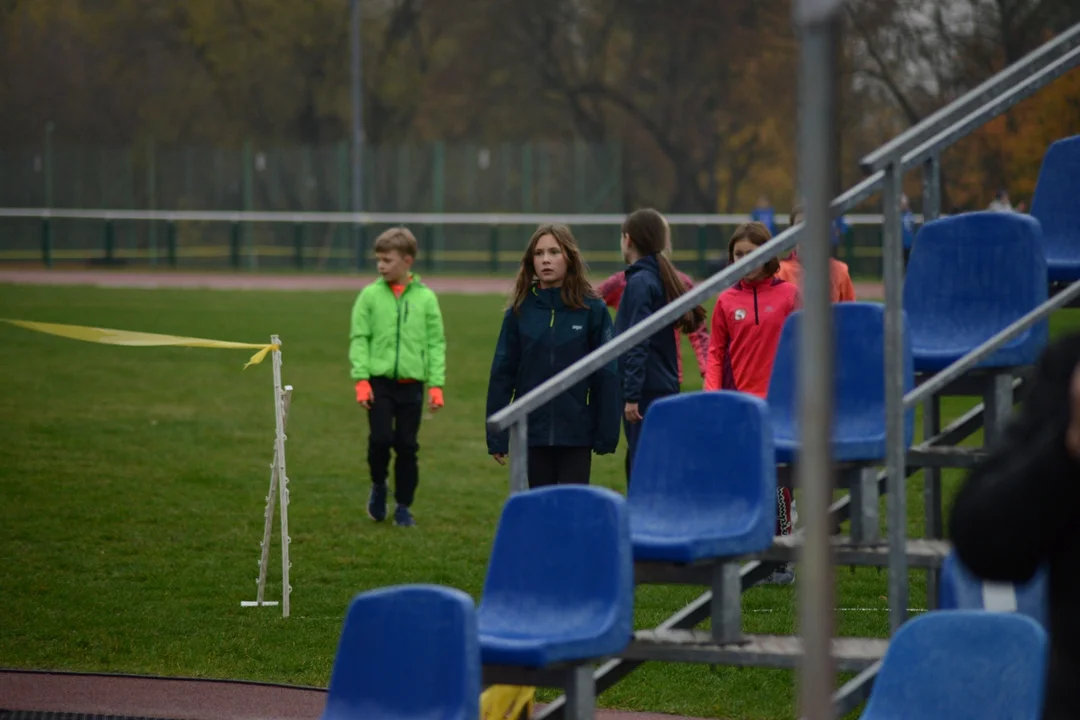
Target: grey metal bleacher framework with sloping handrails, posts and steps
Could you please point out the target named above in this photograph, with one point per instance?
(921, 147)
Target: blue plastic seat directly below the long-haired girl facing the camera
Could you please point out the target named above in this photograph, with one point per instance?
(561, 580)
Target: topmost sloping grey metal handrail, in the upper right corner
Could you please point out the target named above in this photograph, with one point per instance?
(1010, 77)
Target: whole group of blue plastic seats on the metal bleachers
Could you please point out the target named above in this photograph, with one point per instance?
(560, 585)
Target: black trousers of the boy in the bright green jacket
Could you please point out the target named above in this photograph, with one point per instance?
(395, 422)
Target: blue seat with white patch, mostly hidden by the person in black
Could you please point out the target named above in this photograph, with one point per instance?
(961, 590)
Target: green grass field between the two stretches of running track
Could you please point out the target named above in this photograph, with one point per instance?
(134, 483)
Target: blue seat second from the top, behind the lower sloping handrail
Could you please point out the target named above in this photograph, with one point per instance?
(969, 278)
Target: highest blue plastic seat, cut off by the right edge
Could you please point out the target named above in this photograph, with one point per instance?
(1057, 208)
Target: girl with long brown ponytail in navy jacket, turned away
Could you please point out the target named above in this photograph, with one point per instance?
(650, 371)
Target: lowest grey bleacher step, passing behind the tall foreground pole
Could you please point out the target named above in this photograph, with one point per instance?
(778, 651)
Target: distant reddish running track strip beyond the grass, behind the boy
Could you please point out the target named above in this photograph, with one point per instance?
(444, 284)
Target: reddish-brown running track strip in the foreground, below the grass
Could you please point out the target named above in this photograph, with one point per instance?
(184, 699)
